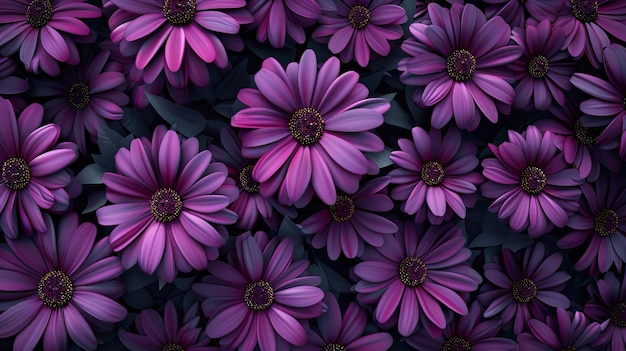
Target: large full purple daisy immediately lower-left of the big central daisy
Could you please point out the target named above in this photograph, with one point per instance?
(169, 204)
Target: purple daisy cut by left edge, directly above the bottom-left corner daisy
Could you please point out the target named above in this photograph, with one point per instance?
(33, 170)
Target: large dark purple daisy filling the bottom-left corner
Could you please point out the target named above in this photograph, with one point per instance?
(57, 284)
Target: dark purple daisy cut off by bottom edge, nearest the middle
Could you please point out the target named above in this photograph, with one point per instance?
(339, 332)
